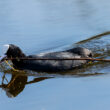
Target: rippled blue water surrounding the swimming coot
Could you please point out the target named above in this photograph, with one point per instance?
(53, 25)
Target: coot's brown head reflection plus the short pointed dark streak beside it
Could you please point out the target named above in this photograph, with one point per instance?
(17, 84)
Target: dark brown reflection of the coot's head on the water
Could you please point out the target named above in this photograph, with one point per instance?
(15, 86)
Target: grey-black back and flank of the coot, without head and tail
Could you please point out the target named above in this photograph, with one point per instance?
(53, 65)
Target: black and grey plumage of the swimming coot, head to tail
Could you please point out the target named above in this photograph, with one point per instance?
(49, 65)
